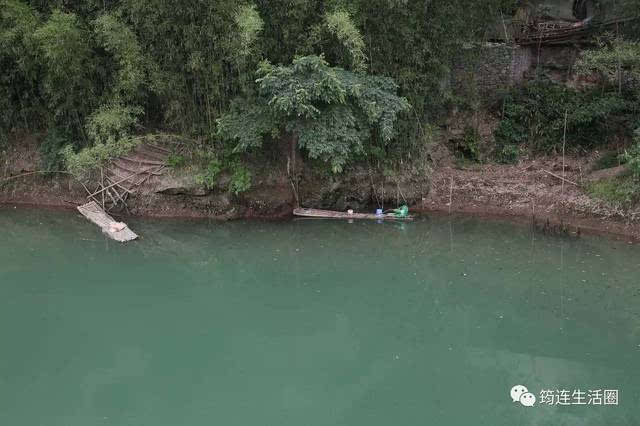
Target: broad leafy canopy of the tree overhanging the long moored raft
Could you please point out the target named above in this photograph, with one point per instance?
(330, 112)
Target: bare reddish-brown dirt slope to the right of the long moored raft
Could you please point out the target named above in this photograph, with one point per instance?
(531, 189)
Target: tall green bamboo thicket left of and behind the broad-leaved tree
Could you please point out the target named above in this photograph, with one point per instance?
(97, 72)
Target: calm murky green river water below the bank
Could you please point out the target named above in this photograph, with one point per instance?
(312, 323)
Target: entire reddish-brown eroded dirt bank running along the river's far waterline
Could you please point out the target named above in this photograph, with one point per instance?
(532, 188)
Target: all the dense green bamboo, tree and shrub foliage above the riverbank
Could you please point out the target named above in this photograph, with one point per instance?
(343, 79)
